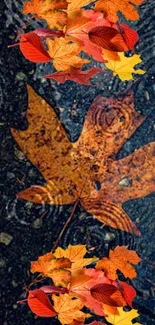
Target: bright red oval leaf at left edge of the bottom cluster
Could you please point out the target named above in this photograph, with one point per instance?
(40, 304)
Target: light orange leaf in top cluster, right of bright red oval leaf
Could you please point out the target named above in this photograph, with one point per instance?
(64, 54)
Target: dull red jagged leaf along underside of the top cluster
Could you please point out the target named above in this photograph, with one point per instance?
(75, 74)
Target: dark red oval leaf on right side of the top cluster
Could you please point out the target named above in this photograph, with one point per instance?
(107, 37)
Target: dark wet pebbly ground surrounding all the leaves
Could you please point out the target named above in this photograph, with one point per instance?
(26, 233)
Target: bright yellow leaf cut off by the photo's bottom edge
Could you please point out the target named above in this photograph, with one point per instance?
(124, 318)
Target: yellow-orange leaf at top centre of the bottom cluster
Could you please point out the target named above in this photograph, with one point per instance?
(76, 255)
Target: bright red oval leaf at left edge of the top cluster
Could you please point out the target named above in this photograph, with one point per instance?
(32, 48)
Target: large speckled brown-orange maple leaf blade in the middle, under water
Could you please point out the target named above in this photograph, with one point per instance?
(71, 170)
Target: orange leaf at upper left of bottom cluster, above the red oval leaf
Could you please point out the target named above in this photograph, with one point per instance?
(55, 268)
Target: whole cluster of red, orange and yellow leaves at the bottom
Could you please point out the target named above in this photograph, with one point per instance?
(75, 286)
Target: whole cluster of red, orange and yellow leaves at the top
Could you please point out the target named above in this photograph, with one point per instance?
(73, 29)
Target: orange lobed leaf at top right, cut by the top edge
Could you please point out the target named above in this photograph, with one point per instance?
(111, 8)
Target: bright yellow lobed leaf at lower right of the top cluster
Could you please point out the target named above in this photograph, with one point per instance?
(125, 66)
